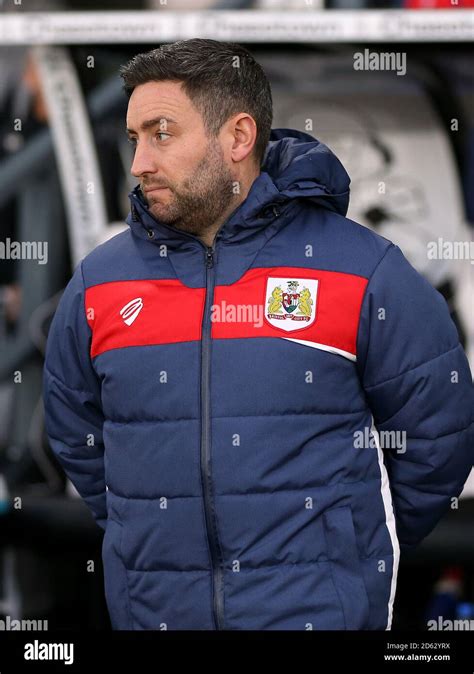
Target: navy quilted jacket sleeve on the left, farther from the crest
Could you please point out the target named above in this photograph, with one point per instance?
(71, 396)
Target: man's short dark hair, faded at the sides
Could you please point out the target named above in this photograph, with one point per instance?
(220, 78)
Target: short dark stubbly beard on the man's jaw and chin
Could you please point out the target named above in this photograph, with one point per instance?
(200, 200)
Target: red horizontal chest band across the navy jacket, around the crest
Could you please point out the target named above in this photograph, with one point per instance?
(167, 311)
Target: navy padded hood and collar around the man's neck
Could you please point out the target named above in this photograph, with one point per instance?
(296, 166)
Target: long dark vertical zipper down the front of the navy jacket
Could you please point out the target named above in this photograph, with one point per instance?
(209, 505)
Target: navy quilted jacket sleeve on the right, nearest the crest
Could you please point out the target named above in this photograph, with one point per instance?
(417, 381)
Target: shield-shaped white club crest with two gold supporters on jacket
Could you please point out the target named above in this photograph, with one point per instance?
(290, 304)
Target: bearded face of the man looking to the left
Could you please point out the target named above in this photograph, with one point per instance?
(183, 173)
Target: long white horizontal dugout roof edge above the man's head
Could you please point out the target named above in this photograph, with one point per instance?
(313, 26)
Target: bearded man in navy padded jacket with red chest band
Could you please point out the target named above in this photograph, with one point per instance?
(258, 398)
